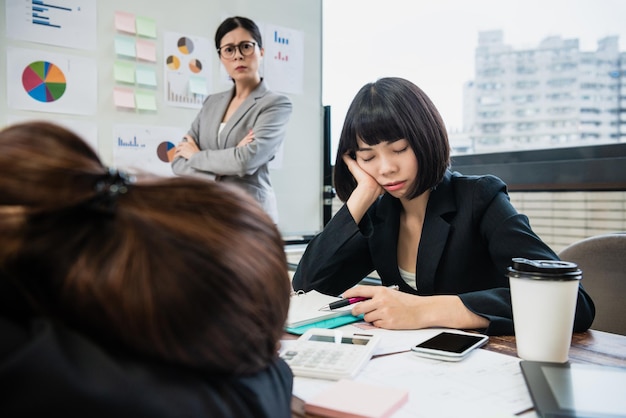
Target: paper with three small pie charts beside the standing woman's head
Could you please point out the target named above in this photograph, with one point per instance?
(187, 69)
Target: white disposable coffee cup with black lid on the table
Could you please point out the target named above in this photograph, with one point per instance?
(543, 297)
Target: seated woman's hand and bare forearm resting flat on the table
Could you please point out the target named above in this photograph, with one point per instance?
(392, 309)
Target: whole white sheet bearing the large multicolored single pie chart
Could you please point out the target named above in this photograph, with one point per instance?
(49, 82)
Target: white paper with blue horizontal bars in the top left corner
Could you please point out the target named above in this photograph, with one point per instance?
(67, 23)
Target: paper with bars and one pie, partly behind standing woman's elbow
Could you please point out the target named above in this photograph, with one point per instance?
(138, 148)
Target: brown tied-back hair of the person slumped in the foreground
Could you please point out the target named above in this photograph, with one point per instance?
(180, 270)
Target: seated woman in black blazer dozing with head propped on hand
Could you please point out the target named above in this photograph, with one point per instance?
(444, 238)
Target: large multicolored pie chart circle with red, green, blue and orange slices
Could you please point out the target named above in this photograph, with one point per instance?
(44, 81)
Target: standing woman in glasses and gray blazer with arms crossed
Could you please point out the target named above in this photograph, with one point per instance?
(239, 131)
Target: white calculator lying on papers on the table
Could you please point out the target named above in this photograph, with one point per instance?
(329, 354)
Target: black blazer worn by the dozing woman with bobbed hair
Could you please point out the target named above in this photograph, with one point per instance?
(470, 234)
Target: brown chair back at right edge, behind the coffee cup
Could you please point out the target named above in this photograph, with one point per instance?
(602, 259)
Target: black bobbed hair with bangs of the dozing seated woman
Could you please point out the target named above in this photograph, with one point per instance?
(391, 109)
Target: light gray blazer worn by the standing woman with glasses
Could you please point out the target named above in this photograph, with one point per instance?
(265, 112)
